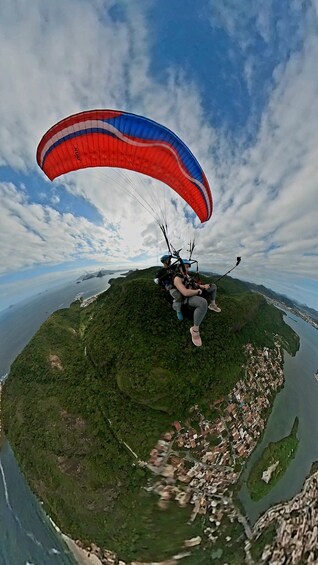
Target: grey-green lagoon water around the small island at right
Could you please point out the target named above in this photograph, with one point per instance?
(298, 398)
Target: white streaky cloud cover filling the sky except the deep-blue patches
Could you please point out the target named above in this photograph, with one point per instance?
(62, 57)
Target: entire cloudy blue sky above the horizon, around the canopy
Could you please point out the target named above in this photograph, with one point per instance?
(236, 81)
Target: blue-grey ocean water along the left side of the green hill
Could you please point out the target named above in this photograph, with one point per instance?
(27, 537)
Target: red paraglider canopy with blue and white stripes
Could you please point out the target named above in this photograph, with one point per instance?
(111, 138)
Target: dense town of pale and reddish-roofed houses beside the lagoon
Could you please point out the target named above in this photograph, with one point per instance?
(198, 462)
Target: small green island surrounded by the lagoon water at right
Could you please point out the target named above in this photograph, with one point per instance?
(276, 455)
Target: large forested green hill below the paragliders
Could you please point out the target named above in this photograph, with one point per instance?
(95, 383)
